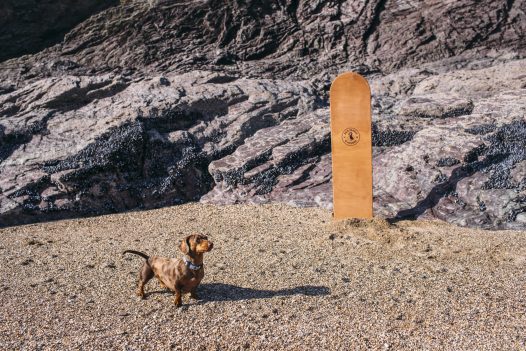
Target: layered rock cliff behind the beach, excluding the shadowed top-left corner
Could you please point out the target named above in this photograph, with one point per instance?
(152, 103)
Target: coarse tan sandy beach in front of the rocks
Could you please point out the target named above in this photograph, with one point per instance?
(278, 278)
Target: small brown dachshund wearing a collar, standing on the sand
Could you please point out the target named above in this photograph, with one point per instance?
(179, 275)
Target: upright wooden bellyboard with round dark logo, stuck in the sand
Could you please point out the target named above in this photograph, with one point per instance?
(352, 170)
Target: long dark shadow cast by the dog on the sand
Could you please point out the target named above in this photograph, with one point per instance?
(210, 292)
